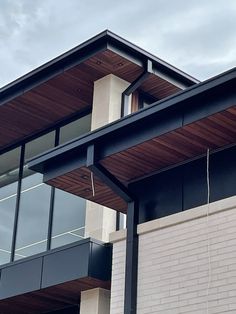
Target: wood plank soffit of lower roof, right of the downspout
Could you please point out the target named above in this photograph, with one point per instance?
(174, 147)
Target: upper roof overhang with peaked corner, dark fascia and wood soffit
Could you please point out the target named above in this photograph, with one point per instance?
(63, 88)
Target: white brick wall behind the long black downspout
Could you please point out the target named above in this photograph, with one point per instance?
(174, 266)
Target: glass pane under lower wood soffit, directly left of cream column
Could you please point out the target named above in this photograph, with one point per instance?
(68, 218)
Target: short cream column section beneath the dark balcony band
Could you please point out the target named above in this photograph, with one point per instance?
(95, 301)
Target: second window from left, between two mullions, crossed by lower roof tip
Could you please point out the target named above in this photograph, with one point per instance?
(34, 208)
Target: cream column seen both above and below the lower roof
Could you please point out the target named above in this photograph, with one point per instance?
(100, 221)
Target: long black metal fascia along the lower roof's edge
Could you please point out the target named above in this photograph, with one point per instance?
(136, 128)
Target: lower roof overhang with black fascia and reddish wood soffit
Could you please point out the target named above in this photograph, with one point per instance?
(168, 133)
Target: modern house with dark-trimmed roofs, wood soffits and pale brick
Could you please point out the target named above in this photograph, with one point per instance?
(117, 186)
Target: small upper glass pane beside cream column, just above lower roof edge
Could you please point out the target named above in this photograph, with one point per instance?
(75, 129)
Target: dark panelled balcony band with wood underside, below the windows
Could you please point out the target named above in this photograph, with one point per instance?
(54, 279)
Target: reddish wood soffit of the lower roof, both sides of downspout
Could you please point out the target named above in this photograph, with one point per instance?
(192, 140)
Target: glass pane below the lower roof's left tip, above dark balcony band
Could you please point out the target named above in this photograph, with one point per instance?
(33, 217)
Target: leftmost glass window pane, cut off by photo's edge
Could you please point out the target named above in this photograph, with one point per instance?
(9, 171)
